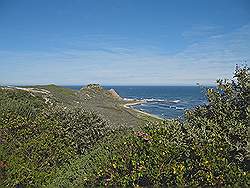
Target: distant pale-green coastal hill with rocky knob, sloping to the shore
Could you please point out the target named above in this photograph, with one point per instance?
(93, 97)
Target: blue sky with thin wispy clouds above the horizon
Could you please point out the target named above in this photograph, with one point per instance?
(122, 42)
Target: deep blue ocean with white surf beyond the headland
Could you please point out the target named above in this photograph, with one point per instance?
(163, 101)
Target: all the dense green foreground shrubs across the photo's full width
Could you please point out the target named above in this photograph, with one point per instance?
(47, 144)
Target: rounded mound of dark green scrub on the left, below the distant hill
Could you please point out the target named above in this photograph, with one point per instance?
(37, 138)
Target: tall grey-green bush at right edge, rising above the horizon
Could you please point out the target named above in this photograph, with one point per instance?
(228, 109)
